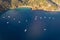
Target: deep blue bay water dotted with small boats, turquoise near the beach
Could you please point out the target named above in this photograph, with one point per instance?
(14, 22)
